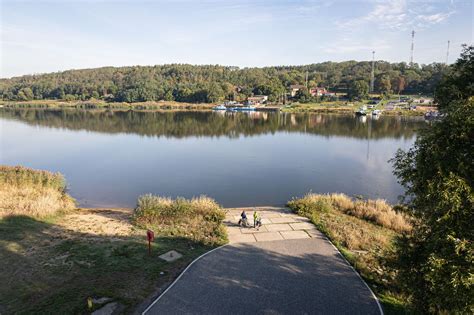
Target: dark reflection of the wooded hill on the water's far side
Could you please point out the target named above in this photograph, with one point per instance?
(185, 124)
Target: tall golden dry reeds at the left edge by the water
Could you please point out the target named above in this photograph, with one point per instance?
(25, 191)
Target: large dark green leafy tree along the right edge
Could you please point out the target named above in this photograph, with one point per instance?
(437, 260)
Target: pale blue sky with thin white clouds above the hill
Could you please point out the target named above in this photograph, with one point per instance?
(48, 36)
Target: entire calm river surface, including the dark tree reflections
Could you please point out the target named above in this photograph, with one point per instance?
(110, 158)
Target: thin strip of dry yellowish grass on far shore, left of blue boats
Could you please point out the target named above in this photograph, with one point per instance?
(98, 104)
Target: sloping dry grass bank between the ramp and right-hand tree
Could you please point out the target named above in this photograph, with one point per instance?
(365, 232)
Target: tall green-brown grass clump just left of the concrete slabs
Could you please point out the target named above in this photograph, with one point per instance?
(199, 219)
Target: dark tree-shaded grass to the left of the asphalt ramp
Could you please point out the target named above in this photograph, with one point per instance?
(45, 268)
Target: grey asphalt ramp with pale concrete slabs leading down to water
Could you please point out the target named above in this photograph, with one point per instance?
(285, 276)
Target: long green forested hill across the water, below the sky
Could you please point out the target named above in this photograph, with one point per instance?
(213, 83)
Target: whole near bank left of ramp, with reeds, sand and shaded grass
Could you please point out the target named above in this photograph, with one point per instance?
(54, 256)
